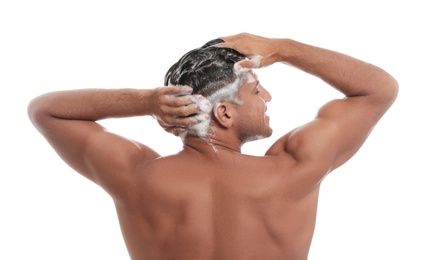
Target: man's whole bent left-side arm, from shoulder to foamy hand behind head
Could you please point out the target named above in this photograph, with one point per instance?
(67, 119)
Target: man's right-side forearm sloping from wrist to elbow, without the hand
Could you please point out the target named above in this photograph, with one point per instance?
(351, 76)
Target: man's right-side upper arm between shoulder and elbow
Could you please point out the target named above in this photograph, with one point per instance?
(336, 134)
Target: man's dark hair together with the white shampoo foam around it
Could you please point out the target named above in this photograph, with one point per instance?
(209, 71)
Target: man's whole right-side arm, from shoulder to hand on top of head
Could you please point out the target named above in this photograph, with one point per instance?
(342, 125)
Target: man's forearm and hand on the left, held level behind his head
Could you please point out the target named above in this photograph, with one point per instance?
(171, 106)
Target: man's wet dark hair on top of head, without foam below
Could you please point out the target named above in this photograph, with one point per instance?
(206, 69)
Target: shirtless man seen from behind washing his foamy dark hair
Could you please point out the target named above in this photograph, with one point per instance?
(209, 201)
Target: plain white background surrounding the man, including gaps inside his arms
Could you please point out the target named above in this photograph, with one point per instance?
(377, 206)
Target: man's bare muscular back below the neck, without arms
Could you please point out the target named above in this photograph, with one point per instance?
(225, 206)
